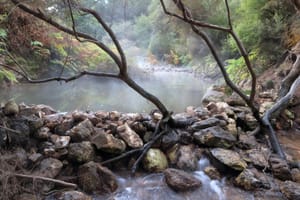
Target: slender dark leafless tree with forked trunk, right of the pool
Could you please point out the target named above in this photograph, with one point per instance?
(199, 27)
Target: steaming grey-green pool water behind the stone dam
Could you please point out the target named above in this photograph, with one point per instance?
(176, 89)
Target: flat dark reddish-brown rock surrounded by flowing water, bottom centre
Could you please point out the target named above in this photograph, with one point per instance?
(180, 181)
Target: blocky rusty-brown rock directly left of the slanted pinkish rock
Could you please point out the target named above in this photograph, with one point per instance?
(107, 142)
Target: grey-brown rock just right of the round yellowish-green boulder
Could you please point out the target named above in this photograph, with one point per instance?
(187, 157)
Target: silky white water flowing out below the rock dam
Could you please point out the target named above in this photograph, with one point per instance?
(153, 187)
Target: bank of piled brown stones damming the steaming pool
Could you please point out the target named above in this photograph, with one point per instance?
(71, 149)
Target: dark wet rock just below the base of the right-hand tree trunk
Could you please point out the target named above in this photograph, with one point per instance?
(280, 168)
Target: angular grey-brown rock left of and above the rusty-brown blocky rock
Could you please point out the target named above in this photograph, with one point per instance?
(82, 132)
